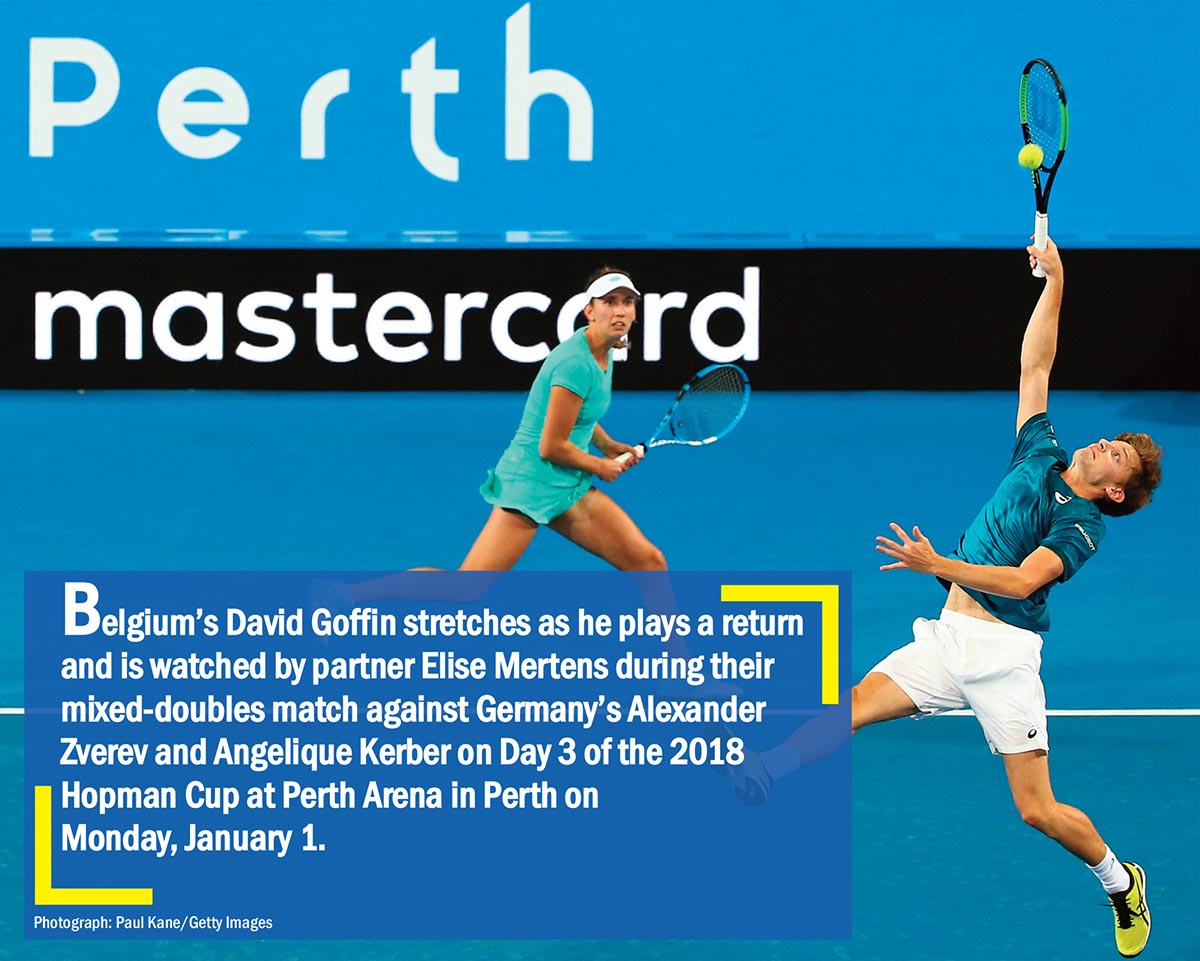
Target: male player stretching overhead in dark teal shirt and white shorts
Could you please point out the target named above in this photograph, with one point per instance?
(985, 652)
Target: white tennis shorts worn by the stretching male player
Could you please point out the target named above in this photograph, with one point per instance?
(959, 662)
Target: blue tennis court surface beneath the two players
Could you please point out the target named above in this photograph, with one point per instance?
(364, 483)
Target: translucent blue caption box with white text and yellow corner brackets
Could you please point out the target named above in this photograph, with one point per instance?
(473, 756)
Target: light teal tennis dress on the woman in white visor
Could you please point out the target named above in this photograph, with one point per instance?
(524, 480)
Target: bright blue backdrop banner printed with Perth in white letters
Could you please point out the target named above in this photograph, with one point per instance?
(676, 123)
